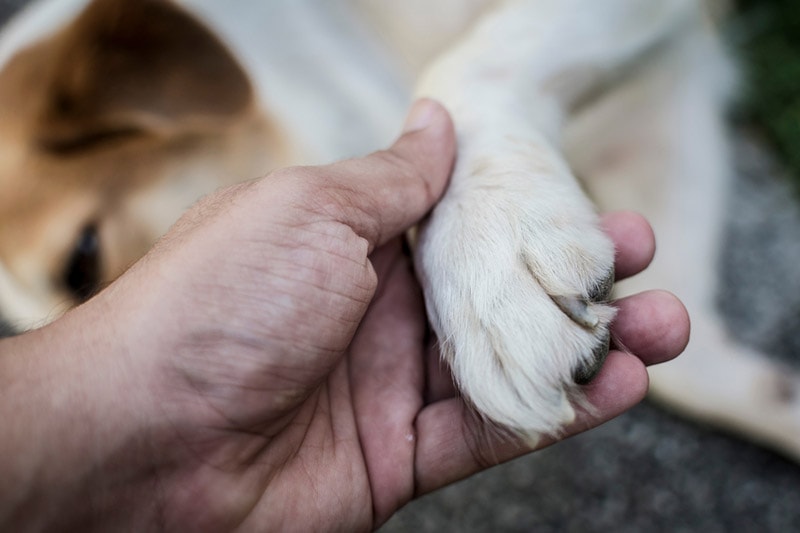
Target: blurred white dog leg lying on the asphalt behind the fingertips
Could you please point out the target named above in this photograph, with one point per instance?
(658, 145)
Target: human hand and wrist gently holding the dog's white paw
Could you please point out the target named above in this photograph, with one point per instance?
(266, 366)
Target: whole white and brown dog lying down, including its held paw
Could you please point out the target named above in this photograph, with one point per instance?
(115, 116)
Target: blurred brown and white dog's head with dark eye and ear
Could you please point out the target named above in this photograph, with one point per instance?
(110, 127)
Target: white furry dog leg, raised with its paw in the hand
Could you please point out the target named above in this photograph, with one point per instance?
(515, 268)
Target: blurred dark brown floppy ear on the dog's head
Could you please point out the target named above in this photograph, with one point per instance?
(137, 66)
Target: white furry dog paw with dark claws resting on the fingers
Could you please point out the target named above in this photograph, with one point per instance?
(517, 275)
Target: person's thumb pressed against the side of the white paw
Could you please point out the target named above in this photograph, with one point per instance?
(390, 190)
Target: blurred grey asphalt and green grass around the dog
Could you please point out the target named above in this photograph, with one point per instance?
(649, 470)
